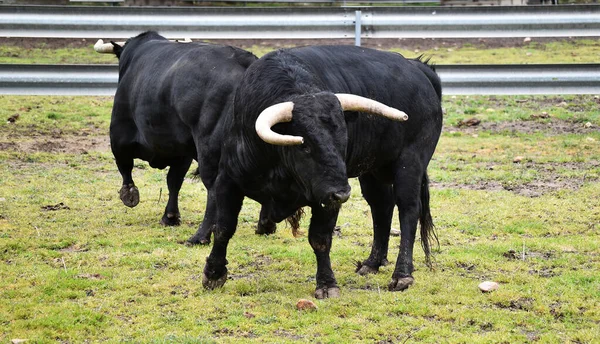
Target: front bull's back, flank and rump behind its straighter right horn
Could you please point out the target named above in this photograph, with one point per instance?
(388, 78)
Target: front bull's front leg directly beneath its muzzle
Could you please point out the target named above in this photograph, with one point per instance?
(320, 233)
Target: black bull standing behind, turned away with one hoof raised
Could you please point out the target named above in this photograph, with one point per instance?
(169, 110)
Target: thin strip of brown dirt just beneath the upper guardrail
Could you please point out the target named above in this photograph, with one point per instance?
(387, 43)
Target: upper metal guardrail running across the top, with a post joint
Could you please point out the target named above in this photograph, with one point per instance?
(296, 23)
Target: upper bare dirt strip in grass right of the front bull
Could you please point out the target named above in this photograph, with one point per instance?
(553, 126)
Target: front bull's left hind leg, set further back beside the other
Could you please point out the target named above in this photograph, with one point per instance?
(380, 198)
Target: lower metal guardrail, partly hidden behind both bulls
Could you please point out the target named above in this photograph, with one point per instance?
(456, 79)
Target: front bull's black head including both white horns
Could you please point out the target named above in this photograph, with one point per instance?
(318, 156)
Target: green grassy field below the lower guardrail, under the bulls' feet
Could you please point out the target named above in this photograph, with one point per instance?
(99, 271)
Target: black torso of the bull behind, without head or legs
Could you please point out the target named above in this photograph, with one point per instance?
(172, 91)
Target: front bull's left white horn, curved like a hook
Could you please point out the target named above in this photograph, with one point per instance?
(281, 112)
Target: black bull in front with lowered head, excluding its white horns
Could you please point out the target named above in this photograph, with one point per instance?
(389, 158)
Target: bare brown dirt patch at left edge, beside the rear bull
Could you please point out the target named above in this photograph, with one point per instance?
(62, 144)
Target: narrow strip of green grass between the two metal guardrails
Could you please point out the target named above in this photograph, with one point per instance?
(583, 50)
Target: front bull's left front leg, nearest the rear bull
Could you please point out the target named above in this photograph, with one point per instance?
(229, 199)
